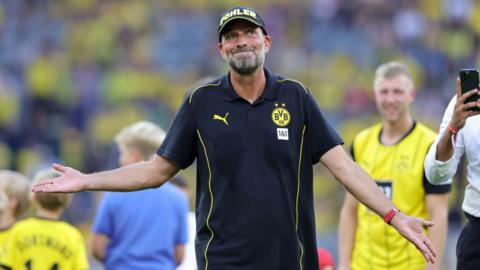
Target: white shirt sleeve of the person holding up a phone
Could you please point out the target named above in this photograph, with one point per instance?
(441, 172)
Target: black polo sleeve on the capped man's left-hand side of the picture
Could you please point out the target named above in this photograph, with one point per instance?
(179, 145)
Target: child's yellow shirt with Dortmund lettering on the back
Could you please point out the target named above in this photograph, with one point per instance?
(45, 244)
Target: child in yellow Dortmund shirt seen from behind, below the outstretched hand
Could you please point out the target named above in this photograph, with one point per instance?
(43, 241)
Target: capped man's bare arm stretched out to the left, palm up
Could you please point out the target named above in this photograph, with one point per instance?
(141, 175)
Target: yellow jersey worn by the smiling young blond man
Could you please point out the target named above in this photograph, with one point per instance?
(398, 171)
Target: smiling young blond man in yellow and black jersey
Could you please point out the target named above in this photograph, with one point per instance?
(392, 152)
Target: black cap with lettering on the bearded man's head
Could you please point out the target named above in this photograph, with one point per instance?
(237, 13)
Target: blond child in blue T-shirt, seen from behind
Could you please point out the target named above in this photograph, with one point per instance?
(124, 237)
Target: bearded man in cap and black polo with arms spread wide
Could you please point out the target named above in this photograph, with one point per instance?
(255, 136)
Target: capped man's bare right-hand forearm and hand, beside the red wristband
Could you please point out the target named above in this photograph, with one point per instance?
(360, 185)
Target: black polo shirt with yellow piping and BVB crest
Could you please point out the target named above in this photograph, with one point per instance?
(254, 203)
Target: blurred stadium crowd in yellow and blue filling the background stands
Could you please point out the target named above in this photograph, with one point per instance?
(74, 72)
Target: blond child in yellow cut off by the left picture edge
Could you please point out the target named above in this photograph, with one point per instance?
(15, 188)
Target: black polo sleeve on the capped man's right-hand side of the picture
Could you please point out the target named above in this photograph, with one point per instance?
(321, 134)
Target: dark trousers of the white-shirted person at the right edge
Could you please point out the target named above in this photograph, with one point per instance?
(468, 245)
